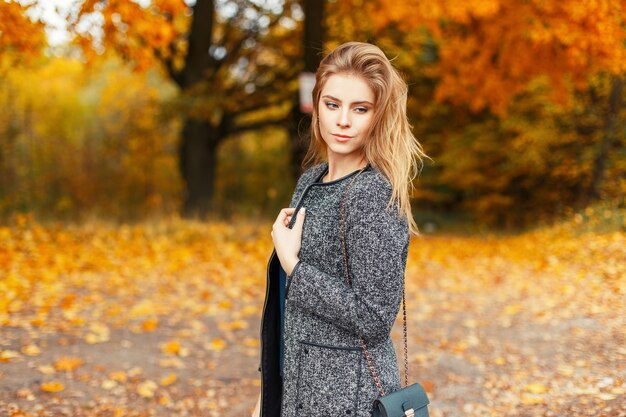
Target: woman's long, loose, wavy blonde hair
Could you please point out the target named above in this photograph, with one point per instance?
(391, 146)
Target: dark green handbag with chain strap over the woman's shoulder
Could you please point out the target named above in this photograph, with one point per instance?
(410, 401)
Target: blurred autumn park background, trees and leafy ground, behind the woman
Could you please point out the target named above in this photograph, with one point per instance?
(146, 146)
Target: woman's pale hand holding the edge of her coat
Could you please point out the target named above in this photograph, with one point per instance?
(287, 241)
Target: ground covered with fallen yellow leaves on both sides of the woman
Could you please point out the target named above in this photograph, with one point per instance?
(162, 319)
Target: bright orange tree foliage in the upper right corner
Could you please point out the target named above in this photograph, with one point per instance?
(490, 50)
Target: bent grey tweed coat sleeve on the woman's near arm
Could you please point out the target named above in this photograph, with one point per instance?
(377, 243)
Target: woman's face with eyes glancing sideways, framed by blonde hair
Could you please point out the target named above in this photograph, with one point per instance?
(346, 111)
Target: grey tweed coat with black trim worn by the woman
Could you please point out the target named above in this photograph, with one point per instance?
(324, 371)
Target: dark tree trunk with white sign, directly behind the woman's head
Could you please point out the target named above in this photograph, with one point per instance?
(312, 46)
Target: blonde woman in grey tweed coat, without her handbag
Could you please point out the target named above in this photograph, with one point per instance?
(312, 362)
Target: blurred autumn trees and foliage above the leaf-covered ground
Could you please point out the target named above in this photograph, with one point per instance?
(126, 109)
